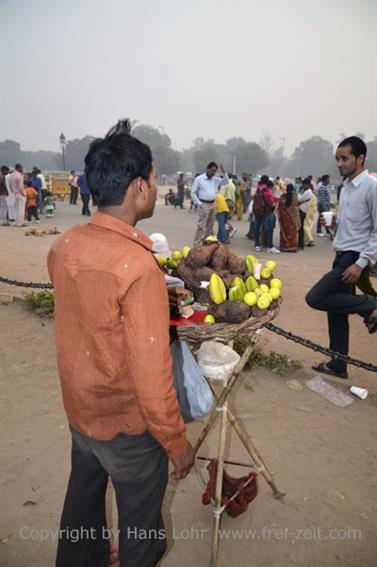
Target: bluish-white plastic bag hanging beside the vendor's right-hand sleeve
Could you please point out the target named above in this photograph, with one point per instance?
(193, 393)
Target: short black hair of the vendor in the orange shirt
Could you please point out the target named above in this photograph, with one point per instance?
(113, 162)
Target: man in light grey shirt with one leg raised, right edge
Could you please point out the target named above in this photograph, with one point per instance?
(355, 246)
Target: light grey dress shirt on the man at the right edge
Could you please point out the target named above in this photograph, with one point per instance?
(357, 219)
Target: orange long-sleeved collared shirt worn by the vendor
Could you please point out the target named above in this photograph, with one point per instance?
(112, 334)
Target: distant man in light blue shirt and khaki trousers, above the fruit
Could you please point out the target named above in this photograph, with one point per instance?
(203, 193)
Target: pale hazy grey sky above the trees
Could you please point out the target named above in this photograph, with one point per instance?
(211, 69)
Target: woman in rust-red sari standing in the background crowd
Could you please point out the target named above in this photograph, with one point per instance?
(289, 220)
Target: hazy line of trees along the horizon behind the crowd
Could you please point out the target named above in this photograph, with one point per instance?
(313, 156)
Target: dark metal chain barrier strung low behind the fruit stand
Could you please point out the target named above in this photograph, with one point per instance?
(270, 326)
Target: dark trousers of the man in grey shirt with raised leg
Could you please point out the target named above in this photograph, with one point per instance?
(339, 300)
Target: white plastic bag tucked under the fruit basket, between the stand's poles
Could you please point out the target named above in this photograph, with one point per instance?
(217, 361)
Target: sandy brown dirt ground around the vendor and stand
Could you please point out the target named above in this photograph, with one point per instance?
(322, 456)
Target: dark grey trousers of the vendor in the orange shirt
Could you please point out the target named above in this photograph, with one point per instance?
(138, 467)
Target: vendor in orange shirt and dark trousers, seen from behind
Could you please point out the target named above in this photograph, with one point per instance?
(112, 337)
